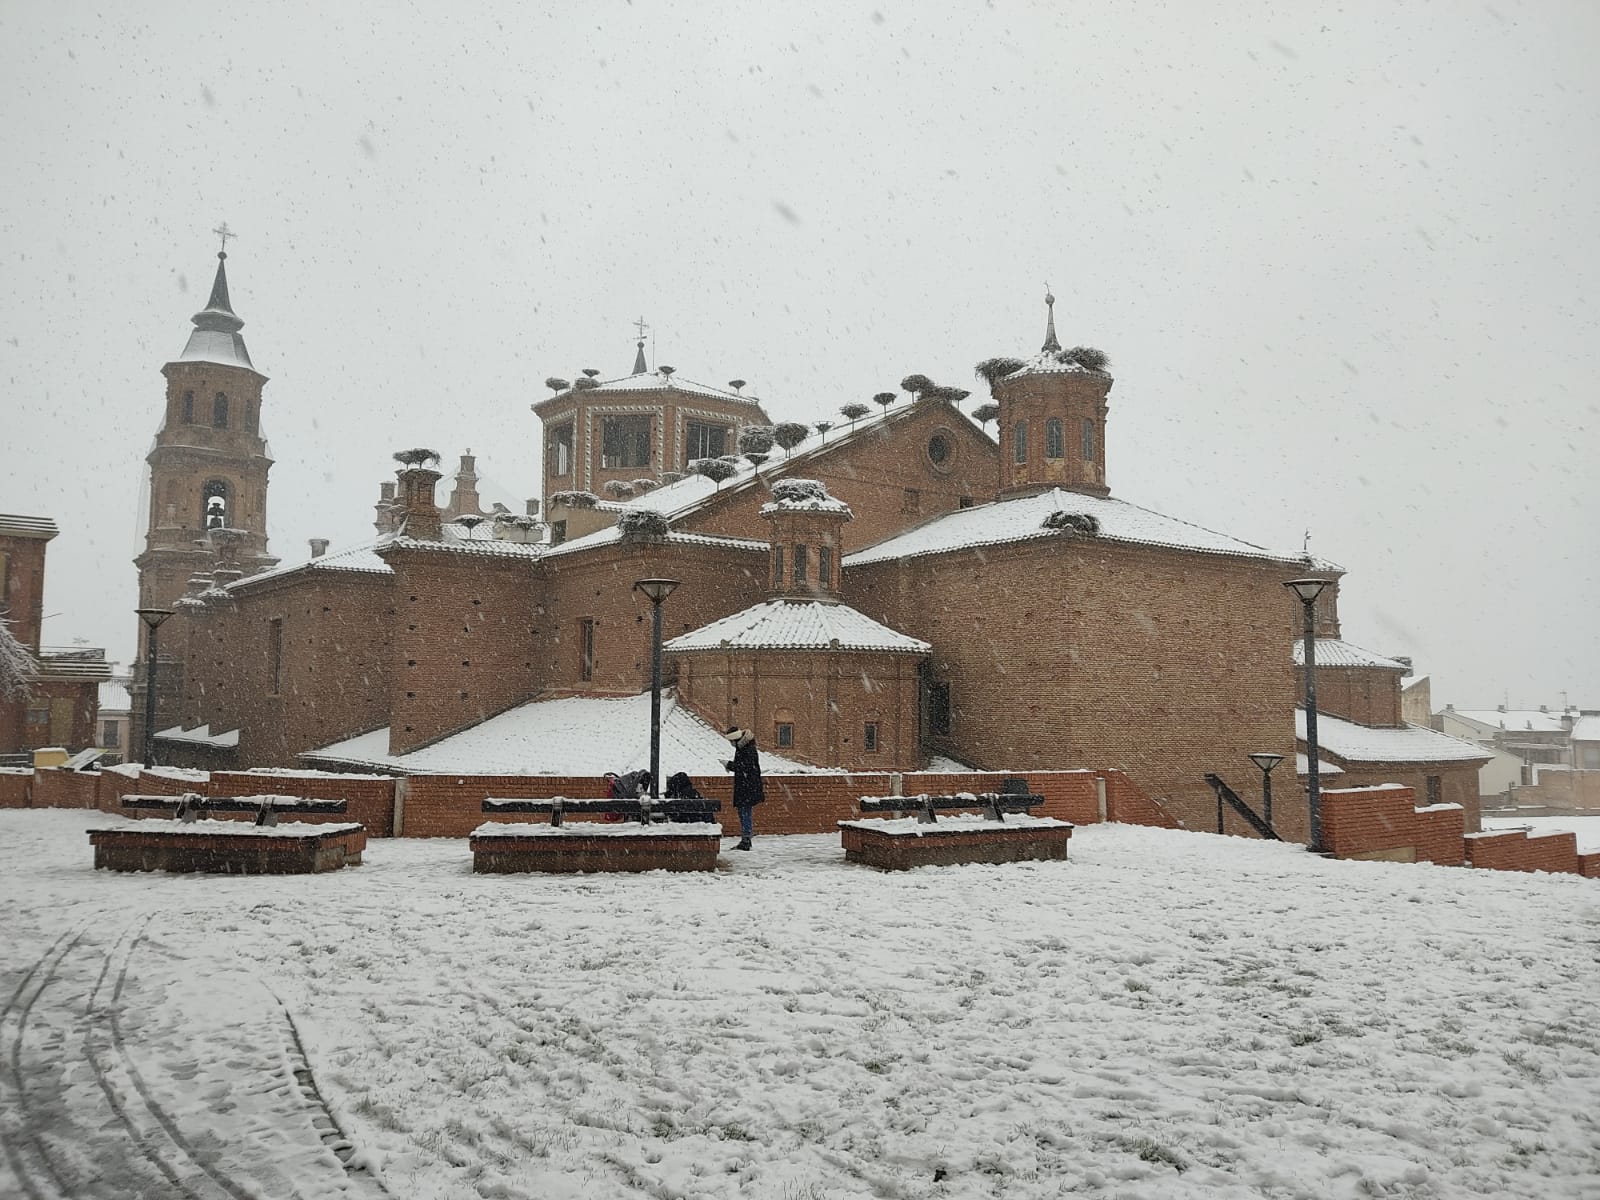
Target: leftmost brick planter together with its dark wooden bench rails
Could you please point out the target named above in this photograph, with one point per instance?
(194, 842)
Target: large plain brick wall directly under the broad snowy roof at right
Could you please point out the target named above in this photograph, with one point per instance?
(1158, 663)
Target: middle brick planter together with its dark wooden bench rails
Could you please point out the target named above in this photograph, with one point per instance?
(642, 844)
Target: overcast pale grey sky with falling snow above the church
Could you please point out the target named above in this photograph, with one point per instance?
(1345, 260)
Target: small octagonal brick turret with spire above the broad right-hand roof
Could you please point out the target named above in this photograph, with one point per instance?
(1054, 420)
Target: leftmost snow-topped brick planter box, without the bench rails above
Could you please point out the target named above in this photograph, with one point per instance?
(228, 849)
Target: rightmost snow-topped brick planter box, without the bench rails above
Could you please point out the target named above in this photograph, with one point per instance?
(905, 842)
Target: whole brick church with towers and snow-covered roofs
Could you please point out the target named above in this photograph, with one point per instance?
(881, 590)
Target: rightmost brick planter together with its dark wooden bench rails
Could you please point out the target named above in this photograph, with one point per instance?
(926, 841)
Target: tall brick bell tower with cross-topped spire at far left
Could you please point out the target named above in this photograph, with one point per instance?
(209, 471)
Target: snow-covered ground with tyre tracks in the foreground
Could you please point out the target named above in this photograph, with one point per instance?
(1167, 1015)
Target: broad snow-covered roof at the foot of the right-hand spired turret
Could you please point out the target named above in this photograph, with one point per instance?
(1023, 519)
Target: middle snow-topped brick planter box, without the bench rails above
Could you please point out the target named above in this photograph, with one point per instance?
(586, 846)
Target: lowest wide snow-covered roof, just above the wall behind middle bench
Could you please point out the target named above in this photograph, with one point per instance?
(582, 735)
